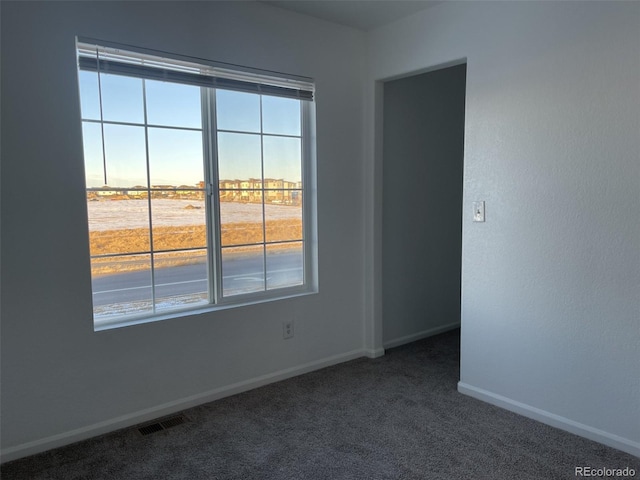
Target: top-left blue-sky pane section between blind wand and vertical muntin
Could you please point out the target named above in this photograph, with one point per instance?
(121, 98)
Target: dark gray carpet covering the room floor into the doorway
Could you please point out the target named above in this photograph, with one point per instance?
(396, 417)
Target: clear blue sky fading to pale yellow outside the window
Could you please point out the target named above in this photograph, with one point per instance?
(175, 154)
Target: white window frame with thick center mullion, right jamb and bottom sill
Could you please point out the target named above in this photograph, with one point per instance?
(219, 302)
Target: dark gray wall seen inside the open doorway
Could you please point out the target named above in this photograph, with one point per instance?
(423, 148)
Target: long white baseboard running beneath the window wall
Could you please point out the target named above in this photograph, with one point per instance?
(129, 420)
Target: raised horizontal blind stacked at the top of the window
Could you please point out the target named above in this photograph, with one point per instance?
(119, 62)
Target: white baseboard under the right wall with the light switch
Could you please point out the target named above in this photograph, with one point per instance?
(552, 419)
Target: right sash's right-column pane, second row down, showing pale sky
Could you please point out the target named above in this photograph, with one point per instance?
(282, 159)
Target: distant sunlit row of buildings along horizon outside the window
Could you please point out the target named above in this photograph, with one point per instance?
(253, 190)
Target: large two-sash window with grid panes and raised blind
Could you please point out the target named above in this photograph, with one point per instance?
(199, 183)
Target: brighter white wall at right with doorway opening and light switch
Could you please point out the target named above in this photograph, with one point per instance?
(551, 297)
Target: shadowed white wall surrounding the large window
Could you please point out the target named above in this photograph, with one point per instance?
(61, 381)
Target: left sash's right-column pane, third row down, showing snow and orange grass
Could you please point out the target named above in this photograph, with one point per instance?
(178, 224)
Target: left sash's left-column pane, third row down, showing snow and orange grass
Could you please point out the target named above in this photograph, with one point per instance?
(117, 226)
